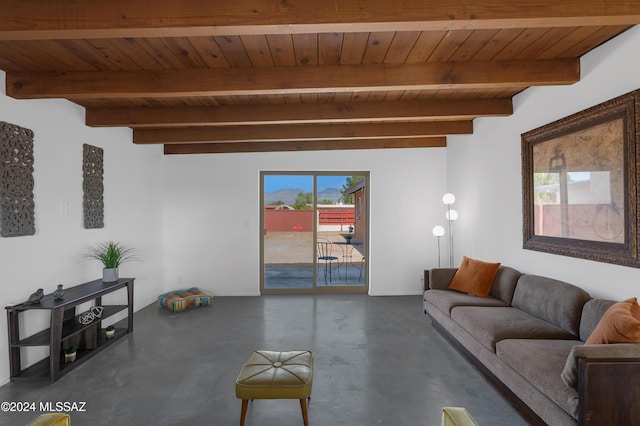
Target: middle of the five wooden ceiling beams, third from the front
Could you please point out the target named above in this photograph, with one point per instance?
(463, 109)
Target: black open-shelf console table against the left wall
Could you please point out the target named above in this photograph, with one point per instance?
(65, 330)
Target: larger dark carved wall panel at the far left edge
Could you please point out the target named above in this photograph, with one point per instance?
(17, 217)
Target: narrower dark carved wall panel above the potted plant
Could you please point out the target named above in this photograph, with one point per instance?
(93, 169)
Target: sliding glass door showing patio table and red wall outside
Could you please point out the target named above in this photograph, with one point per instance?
(315, 228)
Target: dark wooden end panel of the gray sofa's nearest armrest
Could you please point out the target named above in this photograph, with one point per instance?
(608, 391)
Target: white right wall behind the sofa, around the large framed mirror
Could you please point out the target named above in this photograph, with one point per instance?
(484, 171)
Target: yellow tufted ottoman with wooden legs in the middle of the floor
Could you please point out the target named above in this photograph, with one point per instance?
(276, 375)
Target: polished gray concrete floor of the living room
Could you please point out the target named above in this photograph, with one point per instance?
(377, 361)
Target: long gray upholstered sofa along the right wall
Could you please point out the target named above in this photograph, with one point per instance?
(530, 332)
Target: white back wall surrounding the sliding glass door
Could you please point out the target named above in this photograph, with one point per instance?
(212, 215)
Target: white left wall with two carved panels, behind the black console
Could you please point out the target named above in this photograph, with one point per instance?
(133, 211)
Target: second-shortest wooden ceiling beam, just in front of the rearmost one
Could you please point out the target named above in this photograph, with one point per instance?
(298, 132)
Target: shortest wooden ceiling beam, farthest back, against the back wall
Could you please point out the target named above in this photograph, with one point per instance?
(239, 147)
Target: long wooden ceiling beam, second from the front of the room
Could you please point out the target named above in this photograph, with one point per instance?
(282, 80)
